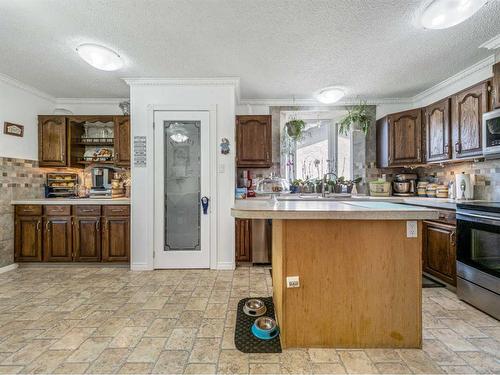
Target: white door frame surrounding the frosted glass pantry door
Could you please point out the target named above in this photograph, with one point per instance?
(213, 207)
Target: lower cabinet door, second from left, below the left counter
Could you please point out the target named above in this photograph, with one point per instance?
(57, 239)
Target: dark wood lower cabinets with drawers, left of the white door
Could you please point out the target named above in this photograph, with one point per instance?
(84, 236)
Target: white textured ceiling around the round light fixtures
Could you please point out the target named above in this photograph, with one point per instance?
(278, 48)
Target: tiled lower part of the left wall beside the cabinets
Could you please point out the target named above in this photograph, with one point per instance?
(19, 179)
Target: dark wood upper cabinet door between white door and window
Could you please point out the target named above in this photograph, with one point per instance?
(253, 141)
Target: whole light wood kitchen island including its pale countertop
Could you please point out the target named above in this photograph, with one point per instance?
(359, 268)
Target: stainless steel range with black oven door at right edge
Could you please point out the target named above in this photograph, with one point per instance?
(478, 255)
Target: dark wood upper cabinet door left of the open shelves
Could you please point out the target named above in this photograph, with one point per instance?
(52, 141)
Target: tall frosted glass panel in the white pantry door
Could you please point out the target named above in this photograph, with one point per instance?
(182, 175)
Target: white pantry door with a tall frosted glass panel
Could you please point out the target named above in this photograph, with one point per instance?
(182, 178)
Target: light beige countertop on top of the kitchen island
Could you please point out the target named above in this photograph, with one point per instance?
(334, 210)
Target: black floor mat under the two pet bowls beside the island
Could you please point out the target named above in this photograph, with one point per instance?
(244, 340)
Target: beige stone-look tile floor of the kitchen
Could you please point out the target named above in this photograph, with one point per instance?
(111, 320)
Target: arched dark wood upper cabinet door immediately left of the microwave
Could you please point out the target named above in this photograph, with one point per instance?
(468, 107)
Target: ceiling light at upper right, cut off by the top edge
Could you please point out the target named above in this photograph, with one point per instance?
(441, 14)
